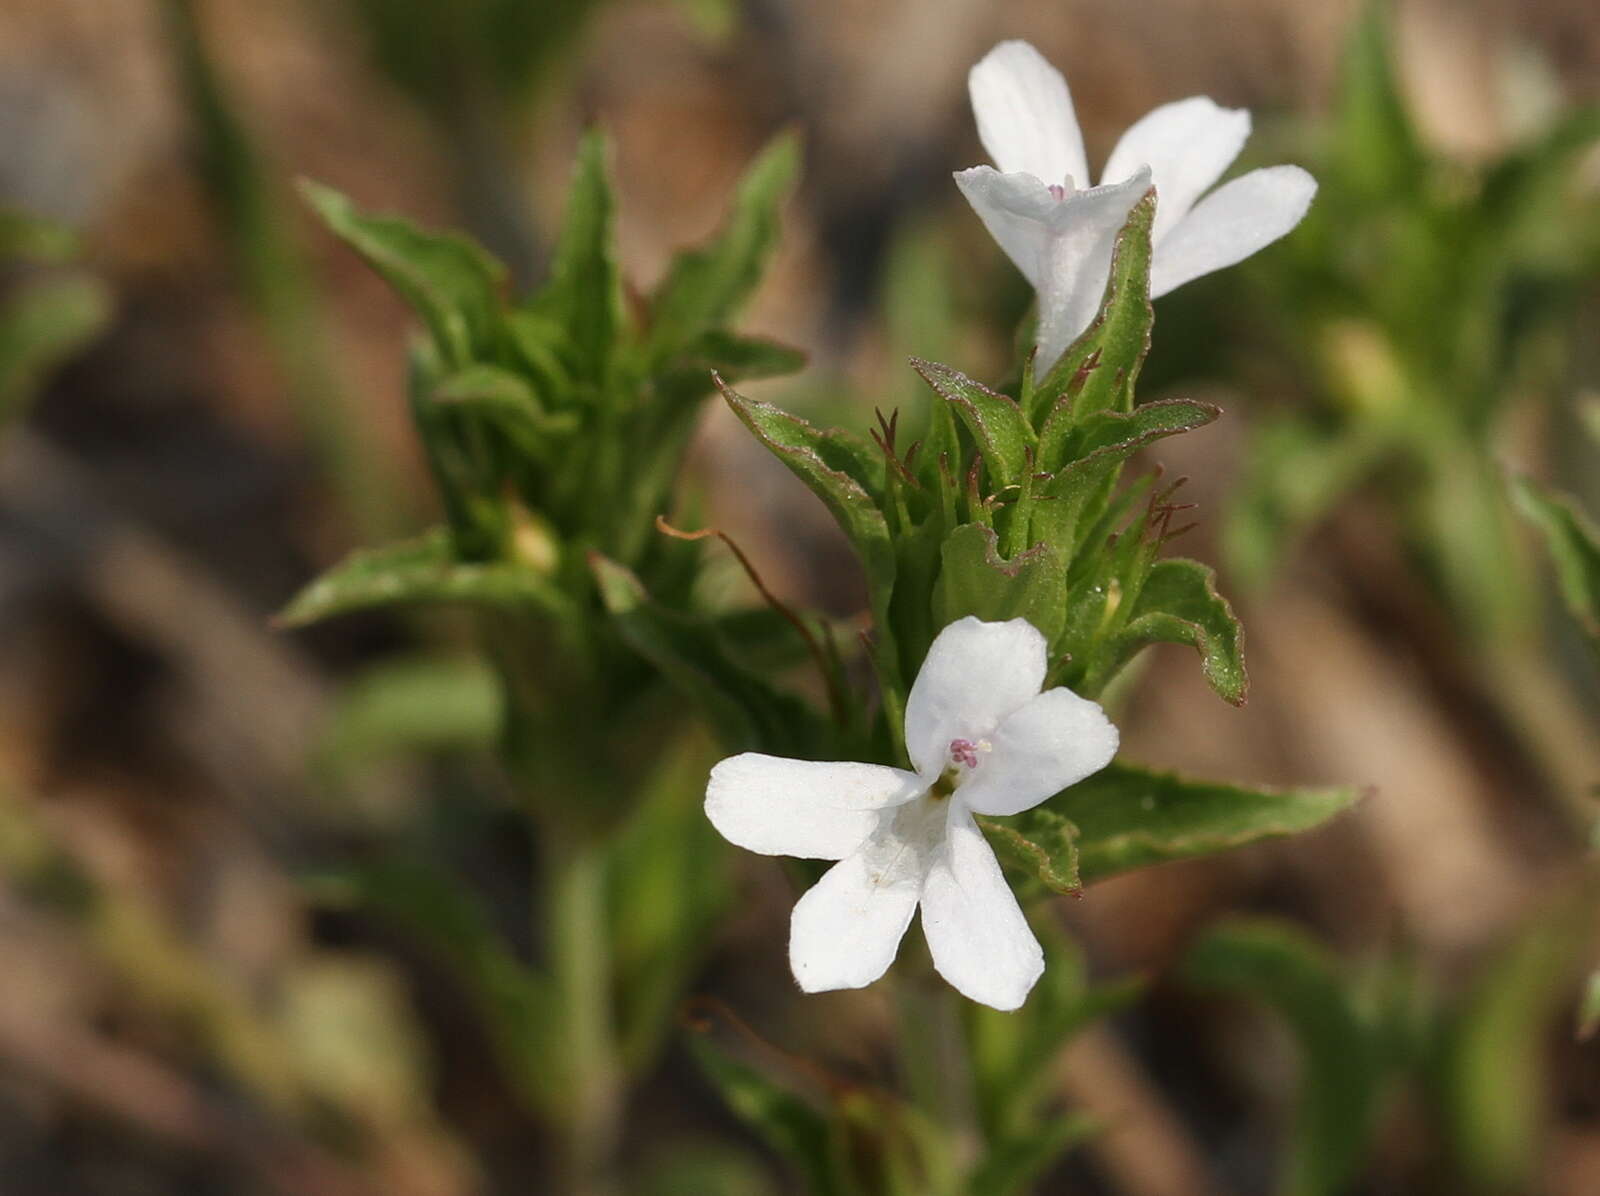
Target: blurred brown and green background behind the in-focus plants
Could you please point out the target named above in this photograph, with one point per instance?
(202, 407)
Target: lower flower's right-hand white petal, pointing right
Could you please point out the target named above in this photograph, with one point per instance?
(1052, 743)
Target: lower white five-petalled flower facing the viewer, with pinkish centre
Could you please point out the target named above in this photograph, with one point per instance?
(985, 741)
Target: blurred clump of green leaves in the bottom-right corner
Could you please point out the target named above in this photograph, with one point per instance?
(1478, 1062)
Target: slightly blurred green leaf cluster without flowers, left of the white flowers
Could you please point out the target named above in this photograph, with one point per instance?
(554, 426)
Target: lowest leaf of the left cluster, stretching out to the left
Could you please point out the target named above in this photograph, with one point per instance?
(423, 572)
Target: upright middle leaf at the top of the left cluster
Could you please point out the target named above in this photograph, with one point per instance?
(585, 293)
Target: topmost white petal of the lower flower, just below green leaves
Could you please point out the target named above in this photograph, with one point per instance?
(974, 677)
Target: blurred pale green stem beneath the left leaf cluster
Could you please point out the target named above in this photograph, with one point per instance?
(580, 960)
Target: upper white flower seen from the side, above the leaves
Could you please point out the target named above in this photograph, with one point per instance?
(1063, 237)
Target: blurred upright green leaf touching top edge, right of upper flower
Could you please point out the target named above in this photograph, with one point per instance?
(1377, 146)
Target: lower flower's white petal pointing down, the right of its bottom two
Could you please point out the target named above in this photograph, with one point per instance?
(975, 930)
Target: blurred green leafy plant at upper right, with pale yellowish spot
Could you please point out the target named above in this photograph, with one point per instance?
(1420, 303)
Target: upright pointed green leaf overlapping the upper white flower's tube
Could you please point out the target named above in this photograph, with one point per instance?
(1100, 369)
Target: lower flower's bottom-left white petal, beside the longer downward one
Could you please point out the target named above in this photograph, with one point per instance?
(847, 930)
